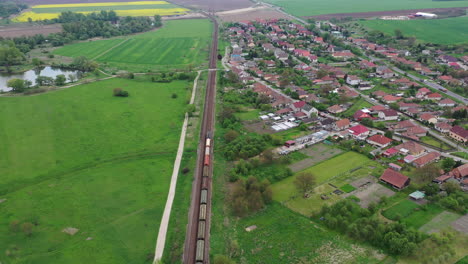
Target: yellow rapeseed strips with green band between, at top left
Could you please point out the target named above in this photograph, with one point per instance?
(139, 8)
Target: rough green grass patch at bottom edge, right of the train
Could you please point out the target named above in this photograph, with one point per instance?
(283, 236)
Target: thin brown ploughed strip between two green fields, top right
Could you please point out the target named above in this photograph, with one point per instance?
(385, 13)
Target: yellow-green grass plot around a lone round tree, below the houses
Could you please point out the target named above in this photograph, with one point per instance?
(337, 171)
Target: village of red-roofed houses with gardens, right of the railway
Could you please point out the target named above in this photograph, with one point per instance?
(350, 90)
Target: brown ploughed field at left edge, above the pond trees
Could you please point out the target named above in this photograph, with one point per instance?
(12, 31)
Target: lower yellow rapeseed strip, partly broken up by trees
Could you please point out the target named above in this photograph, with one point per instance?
(23, 17)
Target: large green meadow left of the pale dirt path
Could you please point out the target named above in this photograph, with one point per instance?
(82, 158)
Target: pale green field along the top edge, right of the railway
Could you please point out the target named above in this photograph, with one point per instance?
(317, 7)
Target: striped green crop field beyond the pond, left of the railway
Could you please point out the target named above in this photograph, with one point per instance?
(178, 44)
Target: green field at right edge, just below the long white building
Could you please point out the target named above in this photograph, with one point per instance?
(439, 31)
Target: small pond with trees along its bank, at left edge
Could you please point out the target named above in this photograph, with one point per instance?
(31, 76)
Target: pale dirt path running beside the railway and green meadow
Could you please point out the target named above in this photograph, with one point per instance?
(161, 241)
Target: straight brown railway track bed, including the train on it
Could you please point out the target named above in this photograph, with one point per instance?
(196, 248)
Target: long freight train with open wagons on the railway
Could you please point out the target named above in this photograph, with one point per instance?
(200, 250)
